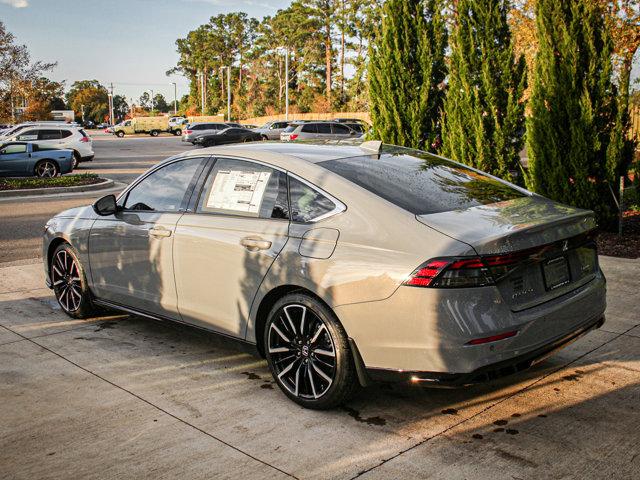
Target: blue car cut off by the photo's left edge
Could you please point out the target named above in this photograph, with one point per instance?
(26, 159)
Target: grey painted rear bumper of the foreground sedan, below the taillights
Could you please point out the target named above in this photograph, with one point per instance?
(428, 330)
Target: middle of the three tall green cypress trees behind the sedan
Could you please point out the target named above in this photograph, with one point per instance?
(483, 120)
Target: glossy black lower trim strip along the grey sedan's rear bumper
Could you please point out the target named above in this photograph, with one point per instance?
(486, 373)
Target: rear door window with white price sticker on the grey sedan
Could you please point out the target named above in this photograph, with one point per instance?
(248, 189)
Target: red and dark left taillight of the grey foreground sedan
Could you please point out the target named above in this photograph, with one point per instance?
(459, 272)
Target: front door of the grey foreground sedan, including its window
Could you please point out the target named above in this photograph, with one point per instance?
(131, 252)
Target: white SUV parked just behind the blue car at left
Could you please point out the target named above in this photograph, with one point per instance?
(72, 138)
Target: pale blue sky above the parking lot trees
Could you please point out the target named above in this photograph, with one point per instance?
(128, 42)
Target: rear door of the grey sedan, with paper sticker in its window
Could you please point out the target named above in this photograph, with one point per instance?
(225, 246)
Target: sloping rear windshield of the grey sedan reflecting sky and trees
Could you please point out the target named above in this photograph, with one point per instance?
(422, 183)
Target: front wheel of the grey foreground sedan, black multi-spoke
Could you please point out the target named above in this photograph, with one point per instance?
(70, 283)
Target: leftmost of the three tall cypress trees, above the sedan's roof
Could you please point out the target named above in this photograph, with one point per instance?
(406, 71)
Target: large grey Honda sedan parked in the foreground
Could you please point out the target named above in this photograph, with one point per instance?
(341, 264)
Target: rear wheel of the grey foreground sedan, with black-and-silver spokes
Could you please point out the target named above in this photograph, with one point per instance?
(308, 353)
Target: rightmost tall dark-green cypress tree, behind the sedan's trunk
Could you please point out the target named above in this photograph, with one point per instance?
(573, 108)
